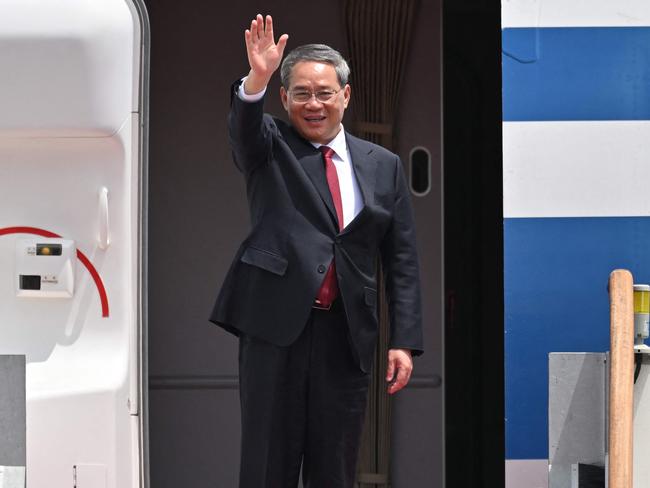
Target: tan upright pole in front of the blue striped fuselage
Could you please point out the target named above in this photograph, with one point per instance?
(621, 387)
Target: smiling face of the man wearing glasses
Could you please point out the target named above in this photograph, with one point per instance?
(316, 121)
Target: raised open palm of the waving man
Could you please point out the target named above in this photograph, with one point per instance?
(264, 55)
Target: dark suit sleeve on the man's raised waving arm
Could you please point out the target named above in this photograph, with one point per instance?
(249, 132)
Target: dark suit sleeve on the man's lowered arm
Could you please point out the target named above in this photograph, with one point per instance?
(401, 271)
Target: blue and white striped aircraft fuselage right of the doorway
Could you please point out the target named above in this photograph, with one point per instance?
(576, 176)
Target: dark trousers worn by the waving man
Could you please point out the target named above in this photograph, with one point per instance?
(302, 405)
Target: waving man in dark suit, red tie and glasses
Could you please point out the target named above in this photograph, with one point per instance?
(301, 293)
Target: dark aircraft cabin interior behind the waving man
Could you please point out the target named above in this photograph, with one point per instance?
(441, 113)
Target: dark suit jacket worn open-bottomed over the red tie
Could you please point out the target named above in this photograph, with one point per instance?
(271, 285)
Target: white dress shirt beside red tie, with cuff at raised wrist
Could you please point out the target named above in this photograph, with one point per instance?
(350, 194)
